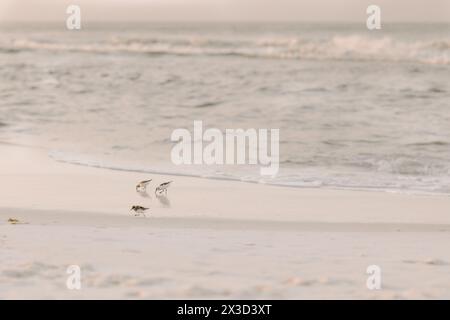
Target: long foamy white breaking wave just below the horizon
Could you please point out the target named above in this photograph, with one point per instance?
(350, 47)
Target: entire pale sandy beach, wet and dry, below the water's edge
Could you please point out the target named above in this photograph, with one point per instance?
(211, 239)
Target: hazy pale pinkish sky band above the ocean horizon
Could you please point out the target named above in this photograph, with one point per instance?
(226, 10)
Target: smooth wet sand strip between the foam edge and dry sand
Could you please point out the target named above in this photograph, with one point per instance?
(79, 188)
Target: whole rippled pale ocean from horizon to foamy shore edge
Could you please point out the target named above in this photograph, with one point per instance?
(356, 109)
